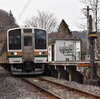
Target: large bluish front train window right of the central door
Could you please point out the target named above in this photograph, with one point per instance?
(40, 39)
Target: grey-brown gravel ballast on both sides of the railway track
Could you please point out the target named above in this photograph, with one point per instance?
(15, 88)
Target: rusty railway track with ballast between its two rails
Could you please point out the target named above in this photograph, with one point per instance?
(59, 90)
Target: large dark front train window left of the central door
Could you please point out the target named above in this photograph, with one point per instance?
(15, 39)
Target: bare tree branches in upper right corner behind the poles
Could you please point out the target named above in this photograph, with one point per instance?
(94, 5)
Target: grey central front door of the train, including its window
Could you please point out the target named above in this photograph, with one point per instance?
(27, 47)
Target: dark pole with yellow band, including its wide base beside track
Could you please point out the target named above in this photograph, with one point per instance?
(91, 36)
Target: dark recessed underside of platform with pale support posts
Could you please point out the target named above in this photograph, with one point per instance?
(66, 72)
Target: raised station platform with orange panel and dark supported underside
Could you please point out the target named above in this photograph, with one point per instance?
(72, 71)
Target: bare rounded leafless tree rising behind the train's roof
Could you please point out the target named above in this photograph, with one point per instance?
(44, 20)
